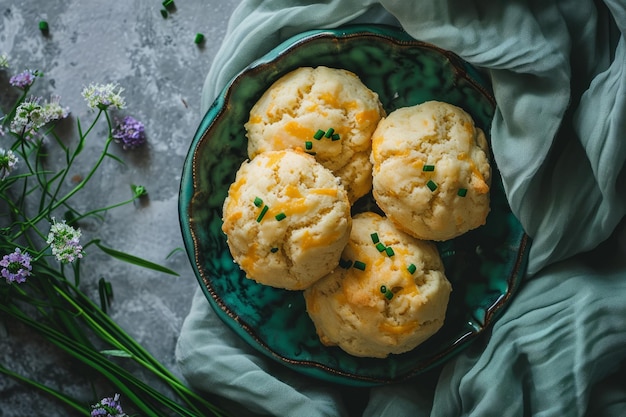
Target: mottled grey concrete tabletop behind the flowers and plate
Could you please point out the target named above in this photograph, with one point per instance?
(162, 70)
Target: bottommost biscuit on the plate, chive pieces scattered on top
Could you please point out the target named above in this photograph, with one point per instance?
(388, 295)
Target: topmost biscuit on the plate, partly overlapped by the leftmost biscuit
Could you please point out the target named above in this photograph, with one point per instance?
(327, 112)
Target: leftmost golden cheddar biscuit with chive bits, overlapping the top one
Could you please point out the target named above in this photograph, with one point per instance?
(286, 218)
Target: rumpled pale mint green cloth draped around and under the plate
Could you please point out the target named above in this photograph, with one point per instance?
(558, 70)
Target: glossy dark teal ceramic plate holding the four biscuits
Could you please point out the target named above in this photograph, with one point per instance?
(484, 266)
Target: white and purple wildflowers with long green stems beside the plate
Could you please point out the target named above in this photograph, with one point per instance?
(41, 253)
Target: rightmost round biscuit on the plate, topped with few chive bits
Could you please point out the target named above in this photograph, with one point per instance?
(431, 170)
